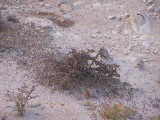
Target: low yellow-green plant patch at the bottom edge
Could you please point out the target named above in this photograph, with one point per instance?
(116, 112)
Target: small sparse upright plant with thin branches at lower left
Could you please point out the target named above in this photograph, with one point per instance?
(21, 98)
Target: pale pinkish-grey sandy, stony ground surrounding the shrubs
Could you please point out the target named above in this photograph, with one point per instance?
(96, 24)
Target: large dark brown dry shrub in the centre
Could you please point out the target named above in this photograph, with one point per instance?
(76, 69)
